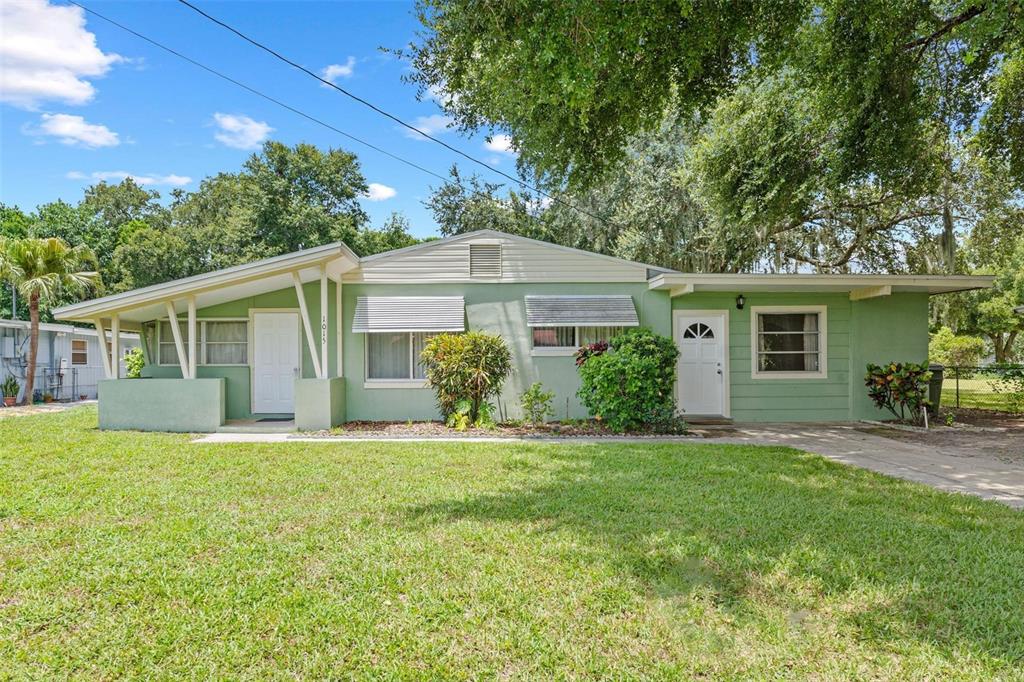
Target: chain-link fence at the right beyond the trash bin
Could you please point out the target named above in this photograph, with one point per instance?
(999, 389)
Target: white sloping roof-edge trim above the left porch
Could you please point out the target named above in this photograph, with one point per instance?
(176, 289)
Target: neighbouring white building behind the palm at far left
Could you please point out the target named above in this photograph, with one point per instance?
(69, 365)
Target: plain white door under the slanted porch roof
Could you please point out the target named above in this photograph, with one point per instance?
(276, 362)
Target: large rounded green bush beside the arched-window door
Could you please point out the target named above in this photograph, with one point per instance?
(631, 386)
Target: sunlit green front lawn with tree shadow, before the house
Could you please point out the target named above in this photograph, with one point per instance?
(133, 556)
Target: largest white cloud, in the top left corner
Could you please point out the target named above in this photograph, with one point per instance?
(47, 54)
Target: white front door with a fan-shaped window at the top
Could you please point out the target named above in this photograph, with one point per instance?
(702, 369)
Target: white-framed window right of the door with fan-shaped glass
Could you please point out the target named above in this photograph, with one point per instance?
(789, 343)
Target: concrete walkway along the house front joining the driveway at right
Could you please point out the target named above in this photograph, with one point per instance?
(956, 470)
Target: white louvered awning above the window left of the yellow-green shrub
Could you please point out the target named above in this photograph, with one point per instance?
(410, 314)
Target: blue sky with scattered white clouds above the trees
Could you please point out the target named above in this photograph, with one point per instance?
(84, 101)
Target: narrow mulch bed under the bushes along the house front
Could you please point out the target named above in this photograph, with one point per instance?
(582, 430)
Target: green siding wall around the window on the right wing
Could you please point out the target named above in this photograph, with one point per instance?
(859, 332)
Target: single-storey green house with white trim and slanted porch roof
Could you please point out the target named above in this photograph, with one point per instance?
(324, 336)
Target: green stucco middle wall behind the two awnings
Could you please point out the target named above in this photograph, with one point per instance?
(498, 309)
